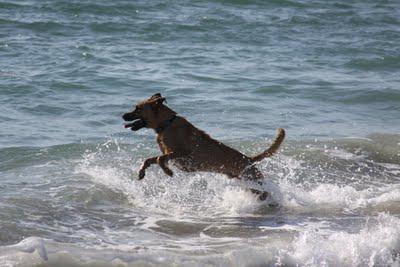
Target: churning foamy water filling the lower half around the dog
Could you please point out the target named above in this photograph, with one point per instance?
(333, 207)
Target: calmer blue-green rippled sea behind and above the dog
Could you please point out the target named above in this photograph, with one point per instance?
(235, 68)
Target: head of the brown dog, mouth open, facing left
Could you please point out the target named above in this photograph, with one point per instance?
(148, 113)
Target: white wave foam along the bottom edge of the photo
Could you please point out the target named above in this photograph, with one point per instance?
(377, 243)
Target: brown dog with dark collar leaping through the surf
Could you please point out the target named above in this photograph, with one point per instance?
(190, 148)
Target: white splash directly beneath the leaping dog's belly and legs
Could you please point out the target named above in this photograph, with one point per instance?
(183, 193)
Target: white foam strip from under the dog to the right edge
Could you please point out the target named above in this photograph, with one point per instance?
(202, 192)
